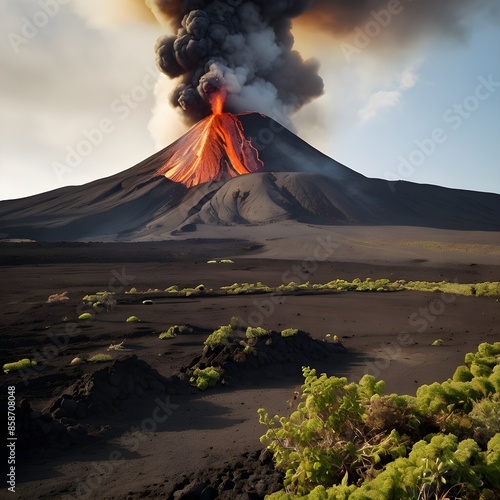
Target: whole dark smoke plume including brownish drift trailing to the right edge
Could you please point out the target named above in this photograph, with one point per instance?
(247, 45)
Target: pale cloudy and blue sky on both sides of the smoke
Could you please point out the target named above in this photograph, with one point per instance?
(78, 102)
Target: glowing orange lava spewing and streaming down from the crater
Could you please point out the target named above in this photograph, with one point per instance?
(214, 149)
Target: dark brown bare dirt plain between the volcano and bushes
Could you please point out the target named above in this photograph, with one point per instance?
(388, 335)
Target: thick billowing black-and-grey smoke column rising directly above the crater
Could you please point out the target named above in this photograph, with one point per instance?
(244, 46)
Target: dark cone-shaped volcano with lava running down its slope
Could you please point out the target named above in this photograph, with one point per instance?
(238, 169)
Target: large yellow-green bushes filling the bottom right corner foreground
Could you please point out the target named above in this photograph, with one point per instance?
(351, 441)
